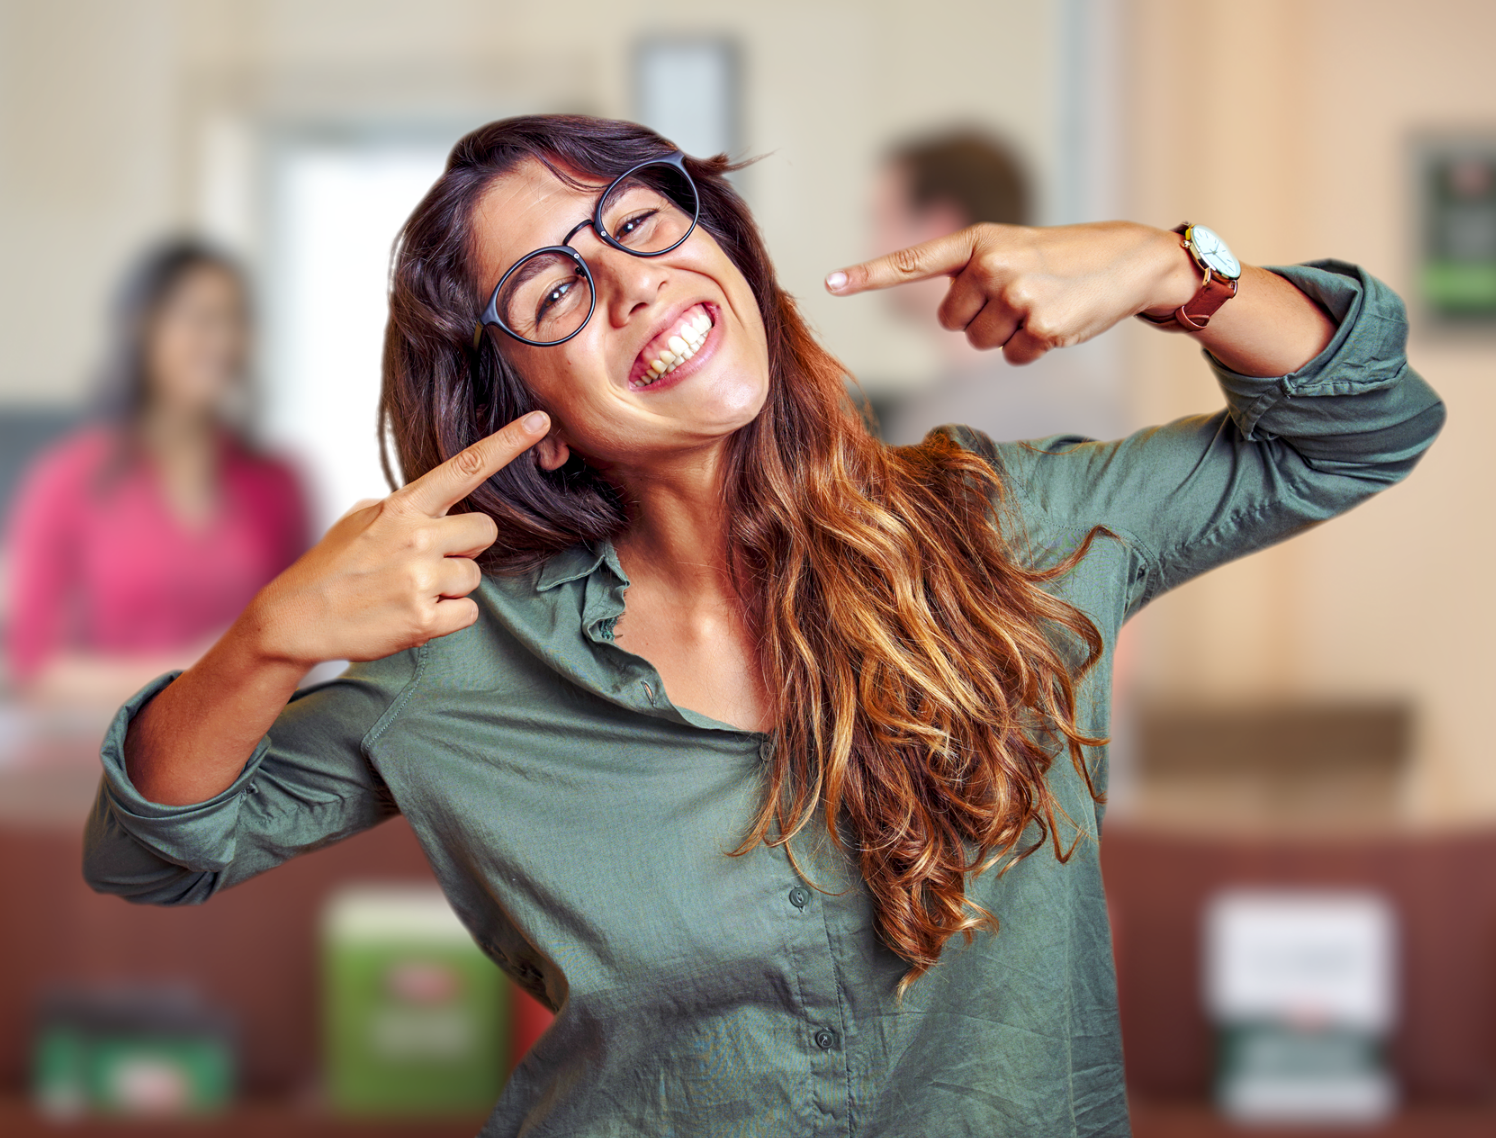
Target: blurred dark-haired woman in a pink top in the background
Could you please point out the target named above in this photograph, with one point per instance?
(135, 542)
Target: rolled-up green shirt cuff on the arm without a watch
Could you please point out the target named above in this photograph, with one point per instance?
(200, 837)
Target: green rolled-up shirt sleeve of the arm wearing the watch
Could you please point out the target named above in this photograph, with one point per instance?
(1286, 454)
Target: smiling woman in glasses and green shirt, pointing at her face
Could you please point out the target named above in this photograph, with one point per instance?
(768, 756)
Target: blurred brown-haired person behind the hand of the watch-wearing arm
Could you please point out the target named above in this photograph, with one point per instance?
(937, 183)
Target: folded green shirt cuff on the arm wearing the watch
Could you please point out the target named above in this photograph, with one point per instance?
(1367, 352)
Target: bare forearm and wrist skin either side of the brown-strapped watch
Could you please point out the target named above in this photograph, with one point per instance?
(1269, 328)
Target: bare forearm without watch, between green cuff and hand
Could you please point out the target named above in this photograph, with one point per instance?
(192, 741)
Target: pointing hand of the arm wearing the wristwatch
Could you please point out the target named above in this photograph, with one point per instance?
(1028, 291)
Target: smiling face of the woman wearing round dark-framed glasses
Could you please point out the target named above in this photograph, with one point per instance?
(595, 385)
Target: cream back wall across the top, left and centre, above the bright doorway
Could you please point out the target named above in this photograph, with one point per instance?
(111, 113)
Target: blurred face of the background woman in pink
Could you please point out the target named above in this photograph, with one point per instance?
(198, 343)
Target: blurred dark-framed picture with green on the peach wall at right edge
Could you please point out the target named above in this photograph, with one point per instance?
(1458, 230)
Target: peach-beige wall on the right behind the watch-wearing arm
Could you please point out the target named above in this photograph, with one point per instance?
(1299, 147)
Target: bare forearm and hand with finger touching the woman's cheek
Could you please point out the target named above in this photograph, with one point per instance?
(387, 578)
